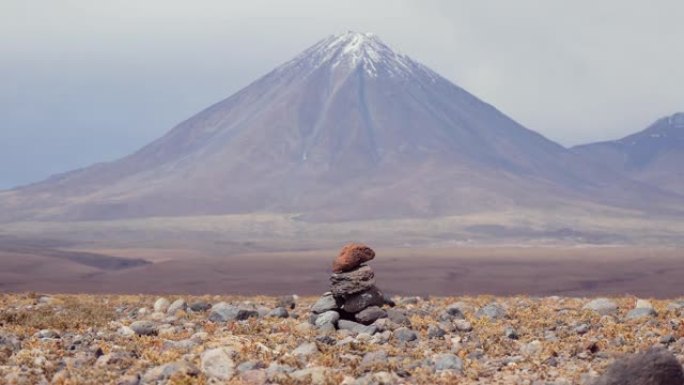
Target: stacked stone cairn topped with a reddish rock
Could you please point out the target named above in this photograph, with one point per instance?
(353, 300)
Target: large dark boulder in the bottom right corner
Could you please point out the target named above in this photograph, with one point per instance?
(655, 366)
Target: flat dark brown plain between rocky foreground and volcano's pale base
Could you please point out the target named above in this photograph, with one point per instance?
(566, 271)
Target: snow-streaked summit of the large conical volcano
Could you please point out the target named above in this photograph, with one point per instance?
(351, 50)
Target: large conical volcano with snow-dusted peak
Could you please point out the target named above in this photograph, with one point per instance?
(348, 129)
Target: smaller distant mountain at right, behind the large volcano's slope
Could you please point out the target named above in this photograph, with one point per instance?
(654, 155)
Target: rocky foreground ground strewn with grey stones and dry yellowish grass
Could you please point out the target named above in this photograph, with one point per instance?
(82, 339)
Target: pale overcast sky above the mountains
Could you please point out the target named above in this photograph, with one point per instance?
(85, 81)
